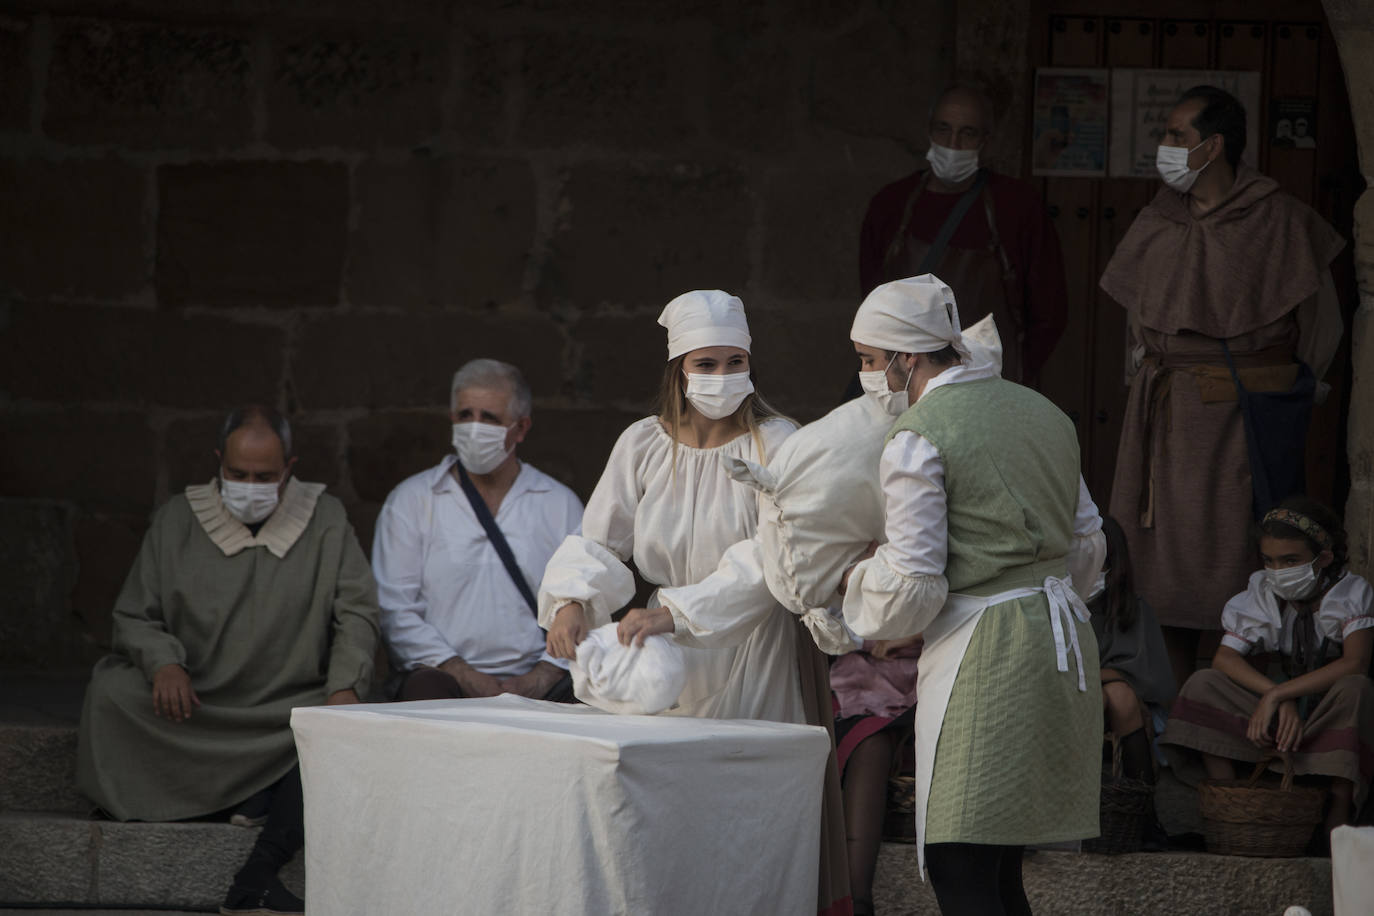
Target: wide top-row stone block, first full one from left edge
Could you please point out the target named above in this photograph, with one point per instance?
(150, 84)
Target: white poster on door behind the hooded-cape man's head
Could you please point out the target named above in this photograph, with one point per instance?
(1141, 105)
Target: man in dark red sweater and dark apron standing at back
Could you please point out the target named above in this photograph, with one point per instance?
(984, 234)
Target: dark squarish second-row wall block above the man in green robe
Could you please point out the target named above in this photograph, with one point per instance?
(244, 234)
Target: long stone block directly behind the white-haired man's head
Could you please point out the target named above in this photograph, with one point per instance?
(388, 360)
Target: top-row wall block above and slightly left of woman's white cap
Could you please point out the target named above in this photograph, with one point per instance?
(626, 93)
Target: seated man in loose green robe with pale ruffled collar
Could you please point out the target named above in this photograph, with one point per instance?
(251, 597)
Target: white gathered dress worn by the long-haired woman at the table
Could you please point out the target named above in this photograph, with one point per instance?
(674, 512)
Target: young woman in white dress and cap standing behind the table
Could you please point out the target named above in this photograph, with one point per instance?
(666, 505)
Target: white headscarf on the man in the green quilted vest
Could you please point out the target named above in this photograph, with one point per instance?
(917, 315)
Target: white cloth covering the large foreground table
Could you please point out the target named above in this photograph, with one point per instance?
(512, 805)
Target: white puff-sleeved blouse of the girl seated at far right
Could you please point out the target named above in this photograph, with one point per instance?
(1257, 621)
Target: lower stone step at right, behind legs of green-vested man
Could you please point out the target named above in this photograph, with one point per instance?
(1136, 885)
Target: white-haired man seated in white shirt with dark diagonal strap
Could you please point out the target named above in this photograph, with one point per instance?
(455, 619)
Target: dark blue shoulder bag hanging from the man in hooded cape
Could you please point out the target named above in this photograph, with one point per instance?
(1276, 436)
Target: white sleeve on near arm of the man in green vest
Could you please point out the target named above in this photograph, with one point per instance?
(899, 590)
